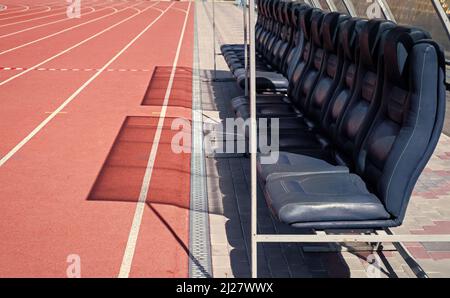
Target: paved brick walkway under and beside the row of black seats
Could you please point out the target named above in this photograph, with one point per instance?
(229, 197)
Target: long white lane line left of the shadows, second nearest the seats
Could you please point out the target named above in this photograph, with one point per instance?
(77, 92)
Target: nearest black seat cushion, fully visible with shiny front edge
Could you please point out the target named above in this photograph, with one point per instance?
(323, 198)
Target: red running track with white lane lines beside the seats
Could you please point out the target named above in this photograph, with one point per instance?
(60, 132)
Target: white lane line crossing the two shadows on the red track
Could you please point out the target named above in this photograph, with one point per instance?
(137, 219)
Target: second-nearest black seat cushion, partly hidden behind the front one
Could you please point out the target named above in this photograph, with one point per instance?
(290, 164)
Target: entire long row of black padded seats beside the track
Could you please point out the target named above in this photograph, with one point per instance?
(363, 114)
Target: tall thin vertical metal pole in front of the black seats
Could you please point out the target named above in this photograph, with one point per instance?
(253, 146)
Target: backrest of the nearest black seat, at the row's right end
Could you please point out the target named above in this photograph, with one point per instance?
(409, 123)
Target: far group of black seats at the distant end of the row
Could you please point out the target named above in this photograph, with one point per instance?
(276, 37)
